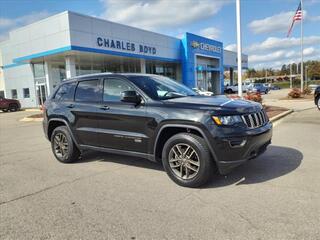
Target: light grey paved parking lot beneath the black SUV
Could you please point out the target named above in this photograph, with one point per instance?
(276, 196)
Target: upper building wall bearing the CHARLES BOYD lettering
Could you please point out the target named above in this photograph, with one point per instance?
(85, 30)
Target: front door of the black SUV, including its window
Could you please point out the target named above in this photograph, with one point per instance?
(122, 125)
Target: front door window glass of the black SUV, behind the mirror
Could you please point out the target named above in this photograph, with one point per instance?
(113, 87)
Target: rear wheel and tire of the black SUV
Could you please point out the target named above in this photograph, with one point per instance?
(63, 147)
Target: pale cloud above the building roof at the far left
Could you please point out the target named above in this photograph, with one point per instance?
(8, 24)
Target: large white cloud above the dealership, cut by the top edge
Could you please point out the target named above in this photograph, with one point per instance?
(159, 14)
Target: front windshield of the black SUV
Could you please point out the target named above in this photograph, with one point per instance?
(161, 88)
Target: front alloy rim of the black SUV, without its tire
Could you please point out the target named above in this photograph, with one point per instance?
(184, 161)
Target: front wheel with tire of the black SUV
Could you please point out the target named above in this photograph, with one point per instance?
(187, 174)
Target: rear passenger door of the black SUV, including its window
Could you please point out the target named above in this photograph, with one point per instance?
(87, 97)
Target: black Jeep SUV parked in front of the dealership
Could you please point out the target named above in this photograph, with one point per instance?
(154, 117)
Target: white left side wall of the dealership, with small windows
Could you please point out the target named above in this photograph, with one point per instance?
(42, 36)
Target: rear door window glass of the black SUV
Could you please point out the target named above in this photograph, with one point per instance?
(88, 91)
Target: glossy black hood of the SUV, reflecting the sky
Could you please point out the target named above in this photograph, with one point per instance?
(218, 103)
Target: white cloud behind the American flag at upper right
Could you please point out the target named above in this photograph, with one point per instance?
(278, 23)
